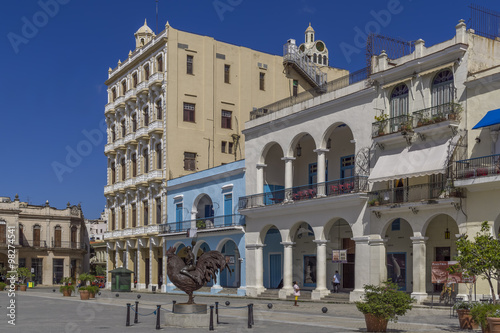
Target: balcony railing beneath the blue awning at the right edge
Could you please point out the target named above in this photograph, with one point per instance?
(478, 167)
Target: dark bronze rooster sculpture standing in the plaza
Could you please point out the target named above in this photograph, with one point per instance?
(206, 267)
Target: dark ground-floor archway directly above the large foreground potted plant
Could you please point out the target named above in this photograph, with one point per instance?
(399, 251)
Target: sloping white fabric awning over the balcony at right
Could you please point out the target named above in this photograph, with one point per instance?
(422, 159)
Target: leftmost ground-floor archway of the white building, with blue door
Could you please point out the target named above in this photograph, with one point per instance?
(273, 259)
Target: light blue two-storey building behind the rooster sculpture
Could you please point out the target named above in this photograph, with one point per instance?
(203, 213)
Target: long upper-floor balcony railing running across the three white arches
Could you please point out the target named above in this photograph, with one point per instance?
(336, 187)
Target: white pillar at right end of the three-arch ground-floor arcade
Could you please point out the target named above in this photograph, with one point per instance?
(361, 267)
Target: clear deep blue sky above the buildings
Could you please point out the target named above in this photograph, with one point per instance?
(53, 68)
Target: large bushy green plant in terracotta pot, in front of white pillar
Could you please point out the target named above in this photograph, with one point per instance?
(383, 303)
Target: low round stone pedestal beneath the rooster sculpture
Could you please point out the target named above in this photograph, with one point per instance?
(189, 316)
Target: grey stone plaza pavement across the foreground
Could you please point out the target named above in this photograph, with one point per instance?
(42, 310)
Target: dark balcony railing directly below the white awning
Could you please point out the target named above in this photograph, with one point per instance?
(414, 193)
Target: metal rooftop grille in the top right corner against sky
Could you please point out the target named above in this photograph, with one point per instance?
(485, 22)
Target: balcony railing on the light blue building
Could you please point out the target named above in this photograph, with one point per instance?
(204, 223)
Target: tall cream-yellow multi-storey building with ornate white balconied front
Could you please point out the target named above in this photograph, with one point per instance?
(177, 105)
